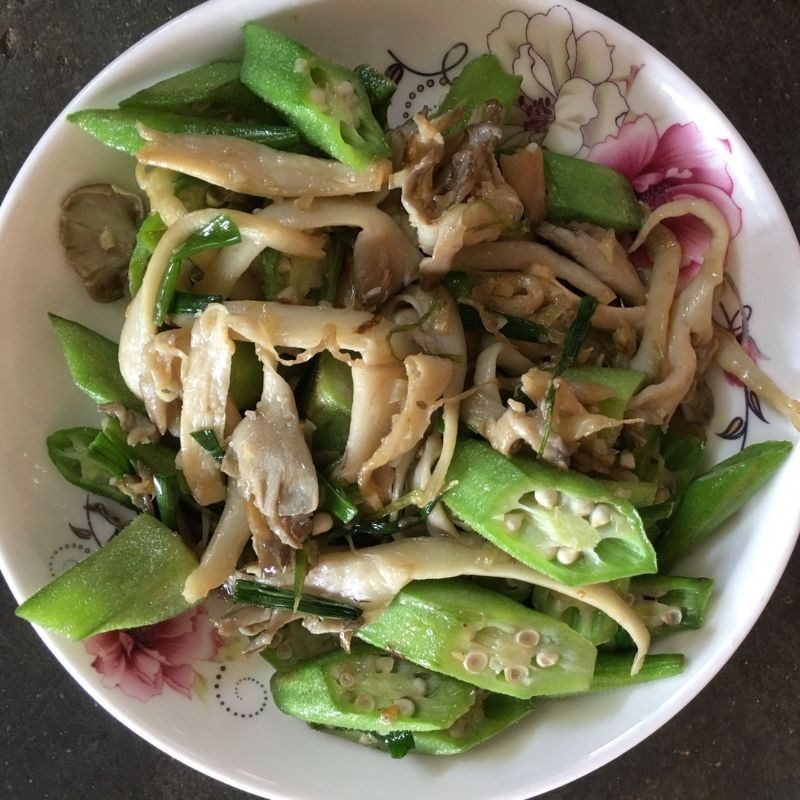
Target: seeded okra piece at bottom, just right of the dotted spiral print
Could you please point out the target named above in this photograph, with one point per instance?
(368, 690)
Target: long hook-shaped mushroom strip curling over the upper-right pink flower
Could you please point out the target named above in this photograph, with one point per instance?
(690, 318)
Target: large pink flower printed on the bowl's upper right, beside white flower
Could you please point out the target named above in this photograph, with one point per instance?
(676, 164)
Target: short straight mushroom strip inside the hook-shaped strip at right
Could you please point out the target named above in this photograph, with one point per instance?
(665, 251)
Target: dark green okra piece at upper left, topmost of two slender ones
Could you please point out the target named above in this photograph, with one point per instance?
(212, 86)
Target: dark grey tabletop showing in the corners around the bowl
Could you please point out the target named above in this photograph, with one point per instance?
(739, 739)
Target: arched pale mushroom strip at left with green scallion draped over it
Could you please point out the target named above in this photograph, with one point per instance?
(139, 328)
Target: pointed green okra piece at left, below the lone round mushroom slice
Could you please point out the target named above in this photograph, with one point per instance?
(93, 362)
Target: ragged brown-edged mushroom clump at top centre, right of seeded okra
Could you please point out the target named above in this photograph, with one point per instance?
(472, 204)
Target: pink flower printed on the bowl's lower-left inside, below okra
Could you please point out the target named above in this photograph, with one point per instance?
(141, 661)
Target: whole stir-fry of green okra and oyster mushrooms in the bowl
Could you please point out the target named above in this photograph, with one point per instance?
(421, 417)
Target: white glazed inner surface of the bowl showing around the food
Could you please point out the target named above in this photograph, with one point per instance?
(229, 728)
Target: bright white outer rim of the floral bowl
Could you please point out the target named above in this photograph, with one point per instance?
(685, 692)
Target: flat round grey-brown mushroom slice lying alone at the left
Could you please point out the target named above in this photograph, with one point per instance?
(98, 232)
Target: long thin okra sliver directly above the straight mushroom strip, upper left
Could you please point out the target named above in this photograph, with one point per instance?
(118, 128)
